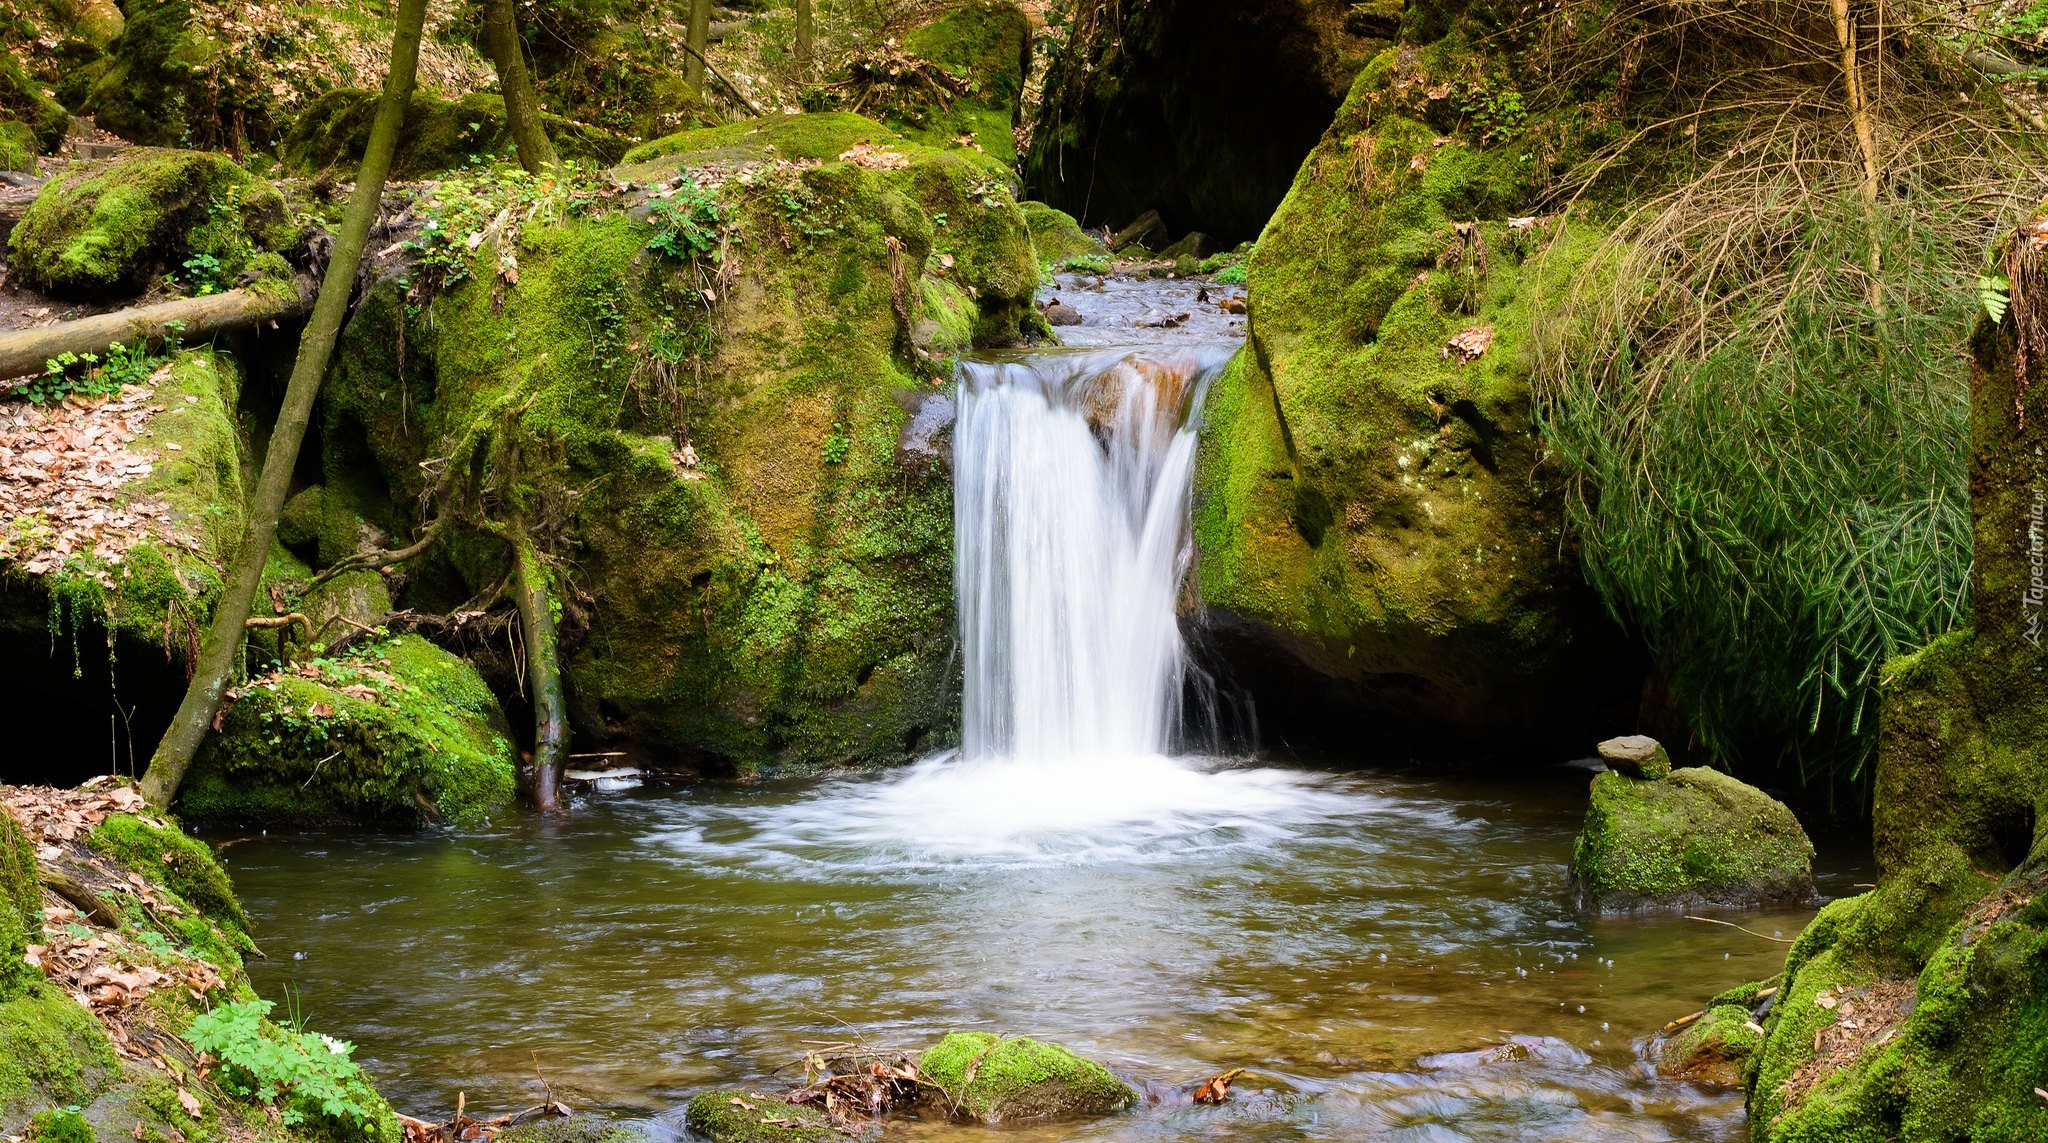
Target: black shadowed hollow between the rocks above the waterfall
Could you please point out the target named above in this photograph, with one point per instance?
(1201, 110)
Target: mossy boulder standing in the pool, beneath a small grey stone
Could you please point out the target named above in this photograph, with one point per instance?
(1697, 839)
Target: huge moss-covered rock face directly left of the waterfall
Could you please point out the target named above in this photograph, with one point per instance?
(777, 595)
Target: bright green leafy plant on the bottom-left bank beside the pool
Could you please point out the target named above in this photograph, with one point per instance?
(280, 1066)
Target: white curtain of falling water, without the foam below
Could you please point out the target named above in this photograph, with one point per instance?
(1072, 478)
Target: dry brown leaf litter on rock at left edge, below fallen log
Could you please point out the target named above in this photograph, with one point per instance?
(62, 478)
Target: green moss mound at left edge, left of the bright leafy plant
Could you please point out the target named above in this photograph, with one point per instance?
(52, 1052)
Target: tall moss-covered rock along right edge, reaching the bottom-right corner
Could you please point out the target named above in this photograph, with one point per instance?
(1920, 1011)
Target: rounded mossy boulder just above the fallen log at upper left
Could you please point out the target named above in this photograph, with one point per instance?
(112, 228)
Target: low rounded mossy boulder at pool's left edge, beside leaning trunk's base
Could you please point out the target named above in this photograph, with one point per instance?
(396, 734)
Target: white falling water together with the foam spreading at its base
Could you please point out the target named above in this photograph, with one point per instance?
(1072, 480)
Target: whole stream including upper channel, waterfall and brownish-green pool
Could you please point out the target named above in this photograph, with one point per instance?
(1392, 956)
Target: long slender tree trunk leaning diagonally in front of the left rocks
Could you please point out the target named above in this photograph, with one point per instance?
(224, 640)
